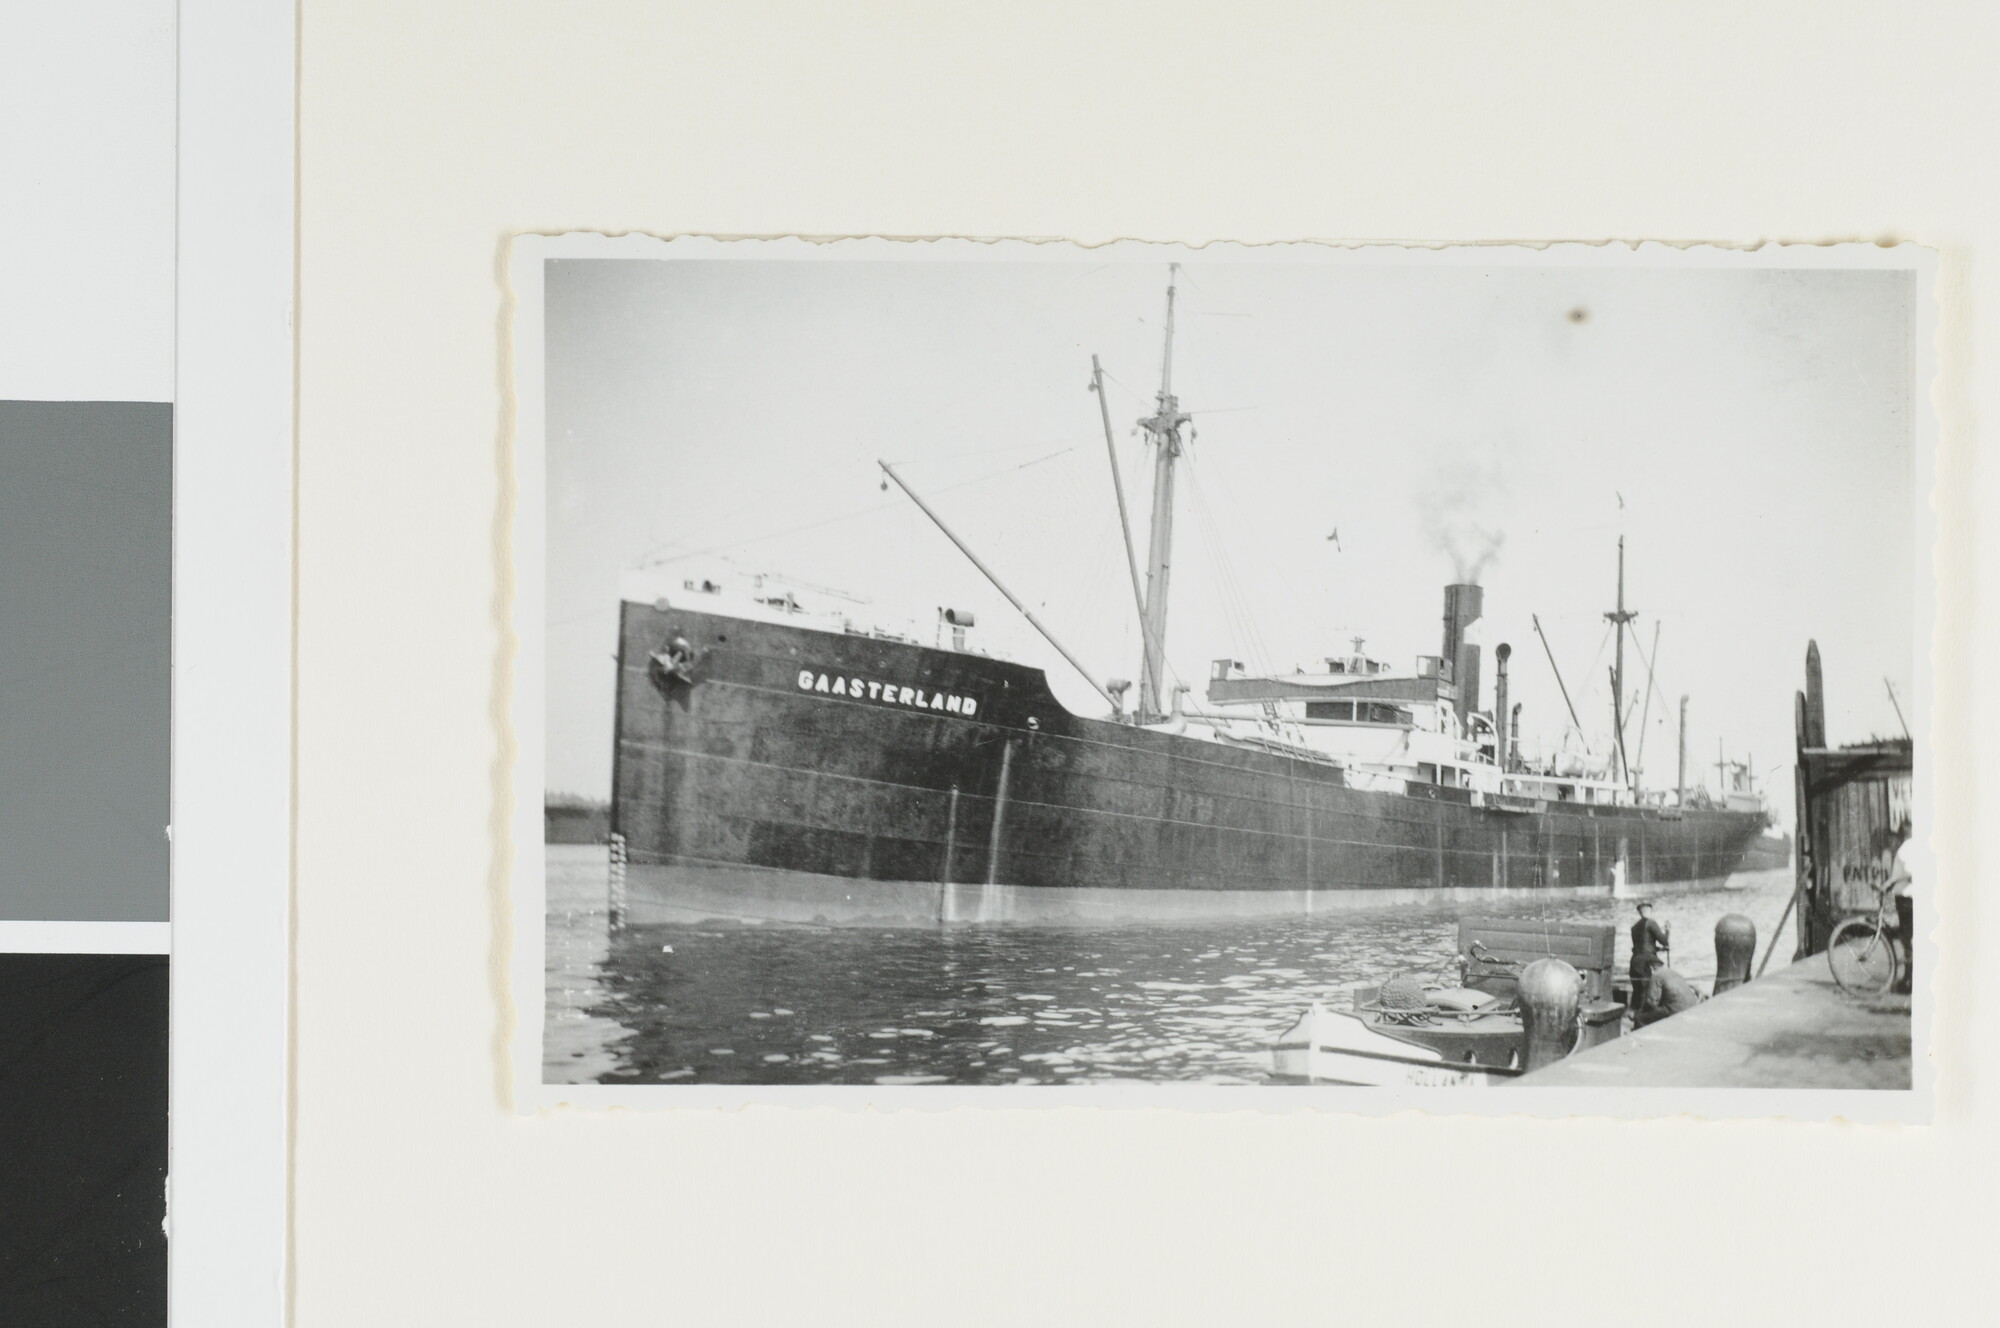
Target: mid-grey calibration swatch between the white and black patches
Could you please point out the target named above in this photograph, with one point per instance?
(85, 635)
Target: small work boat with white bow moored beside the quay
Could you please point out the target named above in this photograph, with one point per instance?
(1463, 1035)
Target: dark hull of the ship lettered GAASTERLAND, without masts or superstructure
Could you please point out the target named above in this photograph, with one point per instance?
(799, 775)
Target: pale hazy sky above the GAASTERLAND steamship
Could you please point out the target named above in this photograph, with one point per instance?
(1749, 433)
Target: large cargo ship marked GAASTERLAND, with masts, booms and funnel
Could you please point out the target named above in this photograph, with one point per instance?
(779, 761)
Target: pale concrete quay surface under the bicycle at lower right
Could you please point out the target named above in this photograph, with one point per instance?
(1791, 1029)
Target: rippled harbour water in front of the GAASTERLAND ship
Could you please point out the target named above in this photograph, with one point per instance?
(745, 1005)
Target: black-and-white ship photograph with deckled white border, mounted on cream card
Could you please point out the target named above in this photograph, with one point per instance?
(1025, 667)
